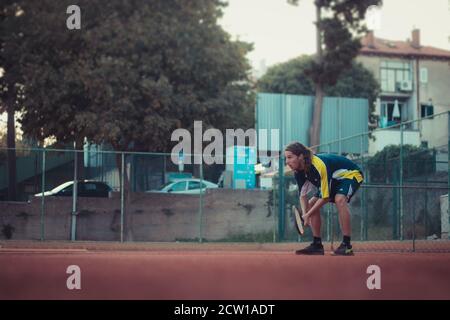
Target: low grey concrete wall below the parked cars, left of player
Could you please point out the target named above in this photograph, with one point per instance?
(154, 217)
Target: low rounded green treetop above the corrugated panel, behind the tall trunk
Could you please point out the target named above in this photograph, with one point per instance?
(290, 78)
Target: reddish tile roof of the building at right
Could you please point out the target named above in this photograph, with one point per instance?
(384, 47)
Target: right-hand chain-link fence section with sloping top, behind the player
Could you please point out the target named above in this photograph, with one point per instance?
(402, 204)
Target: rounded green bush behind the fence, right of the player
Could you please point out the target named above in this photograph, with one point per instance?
(384, 165)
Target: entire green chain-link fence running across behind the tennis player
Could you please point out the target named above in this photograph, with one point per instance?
(99, 195)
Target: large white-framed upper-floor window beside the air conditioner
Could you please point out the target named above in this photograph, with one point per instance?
(392, 73)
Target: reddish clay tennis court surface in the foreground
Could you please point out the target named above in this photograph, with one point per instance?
(37, 270)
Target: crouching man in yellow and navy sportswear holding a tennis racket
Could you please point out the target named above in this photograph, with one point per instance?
(337, 179)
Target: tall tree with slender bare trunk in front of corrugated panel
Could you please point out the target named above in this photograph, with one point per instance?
(338, 43)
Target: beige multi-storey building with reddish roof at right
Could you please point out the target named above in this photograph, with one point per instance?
(415, 84)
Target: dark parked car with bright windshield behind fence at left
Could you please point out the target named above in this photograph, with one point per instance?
(86, 188)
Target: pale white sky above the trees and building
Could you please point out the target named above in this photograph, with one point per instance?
(280, 31)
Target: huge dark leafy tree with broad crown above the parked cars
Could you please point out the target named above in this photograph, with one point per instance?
(135, 71)
